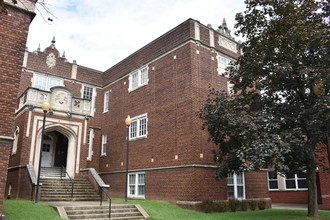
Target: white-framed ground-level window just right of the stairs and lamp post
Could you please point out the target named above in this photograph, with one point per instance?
(136, 184)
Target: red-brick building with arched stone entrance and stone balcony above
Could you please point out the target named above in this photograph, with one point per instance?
(161, 86)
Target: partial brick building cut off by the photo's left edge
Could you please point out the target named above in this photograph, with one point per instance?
(14, 27)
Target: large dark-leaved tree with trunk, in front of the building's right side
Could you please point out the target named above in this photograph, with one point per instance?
(278, 115)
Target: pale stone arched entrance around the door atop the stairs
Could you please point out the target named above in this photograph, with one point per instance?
(58, 149)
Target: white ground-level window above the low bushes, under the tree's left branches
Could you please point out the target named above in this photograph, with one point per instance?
(235, 186)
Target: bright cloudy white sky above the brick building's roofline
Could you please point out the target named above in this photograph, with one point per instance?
(99, 34)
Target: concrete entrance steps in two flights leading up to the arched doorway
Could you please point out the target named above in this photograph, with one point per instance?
(59, 191)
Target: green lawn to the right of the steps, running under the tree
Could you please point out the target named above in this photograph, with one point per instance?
(164, 211)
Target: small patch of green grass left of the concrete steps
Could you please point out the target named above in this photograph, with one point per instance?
(26, 210)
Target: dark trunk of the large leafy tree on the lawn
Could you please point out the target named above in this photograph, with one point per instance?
(313, 210)
